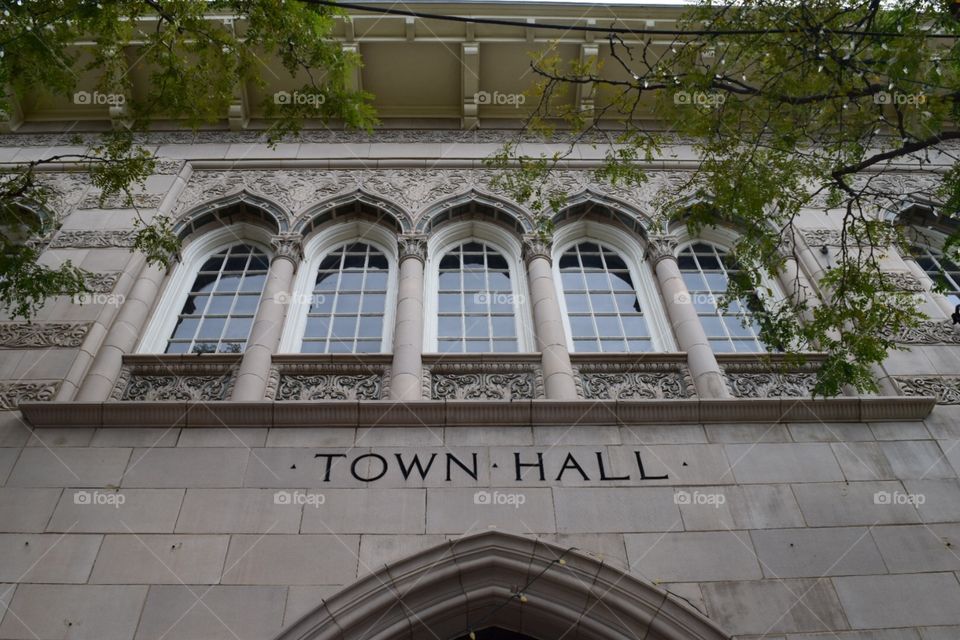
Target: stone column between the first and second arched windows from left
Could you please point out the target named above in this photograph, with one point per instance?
(264, 337)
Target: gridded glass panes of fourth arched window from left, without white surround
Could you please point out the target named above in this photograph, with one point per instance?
(602, 305)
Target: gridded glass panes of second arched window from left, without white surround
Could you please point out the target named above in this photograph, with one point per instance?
(348, 302)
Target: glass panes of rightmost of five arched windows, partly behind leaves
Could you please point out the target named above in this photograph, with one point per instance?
(706, 269)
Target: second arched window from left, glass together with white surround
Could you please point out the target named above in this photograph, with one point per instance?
(344, 295)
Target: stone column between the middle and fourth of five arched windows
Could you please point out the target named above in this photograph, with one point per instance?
(558, 380)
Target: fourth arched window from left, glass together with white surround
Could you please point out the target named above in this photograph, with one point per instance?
(607, 292)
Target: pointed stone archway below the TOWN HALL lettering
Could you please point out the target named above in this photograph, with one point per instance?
(492, 582)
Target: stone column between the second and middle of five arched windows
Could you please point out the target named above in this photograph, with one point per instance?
(406, 371)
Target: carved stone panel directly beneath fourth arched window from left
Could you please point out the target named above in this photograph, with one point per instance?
(634, 381)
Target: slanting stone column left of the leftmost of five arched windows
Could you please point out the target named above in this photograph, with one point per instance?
(123, 336)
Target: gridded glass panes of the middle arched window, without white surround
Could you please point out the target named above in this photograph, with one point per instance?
(475, 311)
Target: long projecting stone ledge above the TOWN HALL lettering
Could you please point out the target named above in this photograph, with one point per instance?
(473, 413)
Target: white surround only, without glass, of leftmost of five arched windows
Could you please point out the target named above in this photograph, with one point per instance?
(167, 310)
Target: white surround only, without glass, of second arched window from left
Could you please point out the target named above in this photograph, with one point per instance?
(315, 249)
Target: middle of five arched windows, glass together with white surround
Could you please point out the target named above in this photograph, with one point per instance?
(476, 292)
